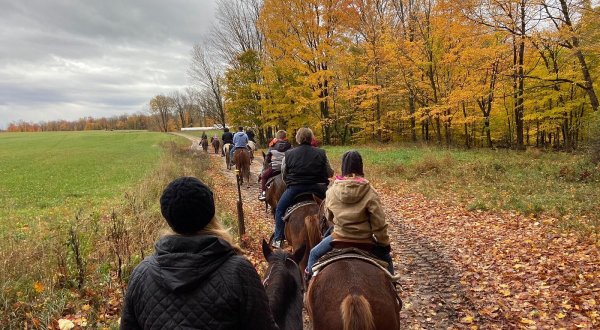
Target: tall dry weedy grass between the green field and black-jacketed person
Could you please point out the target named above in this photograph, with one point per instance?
(79, 265)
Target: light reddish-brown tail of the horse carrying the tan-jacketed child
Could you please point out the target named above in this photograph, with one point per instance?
(356, 313)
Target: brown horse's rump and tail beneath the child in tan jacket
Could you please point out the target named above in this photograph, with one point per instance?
(367, 299)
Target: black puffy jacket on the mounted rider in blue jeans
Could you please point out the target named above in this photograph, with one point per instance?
(306, 165)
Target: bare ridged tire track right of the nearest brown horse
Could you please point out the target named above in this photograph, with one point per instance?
(432, 293)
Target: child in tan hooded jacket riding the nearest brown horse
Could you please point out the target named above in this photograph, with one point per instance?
(353, 206)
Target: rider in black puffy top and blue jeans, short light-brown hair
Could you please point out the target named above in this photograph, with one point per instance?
(304, 169)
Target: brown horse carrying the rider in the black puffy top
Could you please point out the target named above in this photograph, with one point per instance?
(302, 229)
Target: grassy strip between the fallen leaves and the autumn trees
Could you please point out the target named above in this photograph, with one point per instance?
(532, 182)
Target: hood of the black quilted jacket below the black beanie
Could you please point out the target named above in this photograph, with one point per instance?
(180, 262)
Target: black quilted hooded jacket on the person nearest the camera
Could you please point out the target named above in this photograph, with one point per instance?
(195, 282)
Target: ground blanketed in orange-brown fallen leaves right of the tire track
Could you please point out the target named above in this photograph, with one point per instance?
(519, 272)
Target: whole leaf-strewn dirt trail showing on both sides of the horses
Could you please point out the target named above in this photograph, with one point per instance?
(432, 294)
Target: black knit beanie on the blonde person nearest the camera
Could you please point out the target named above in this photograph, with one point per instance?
(187, 204)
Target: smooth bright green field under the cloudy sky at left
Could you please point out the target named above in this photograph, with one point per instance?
(48, 175)
